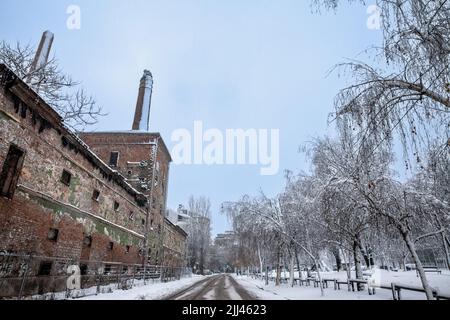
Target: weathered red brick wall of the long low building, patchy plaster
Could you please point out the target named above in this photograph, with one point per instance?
(42, 201)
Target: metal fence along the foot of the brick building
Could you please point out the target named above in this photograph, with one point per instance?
(39, 277)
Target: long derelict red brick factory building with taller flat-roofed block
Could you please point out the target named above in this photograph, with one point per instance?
(59, 198)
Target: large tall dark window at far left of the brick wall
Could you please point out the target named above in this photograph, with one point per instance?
(11, 171)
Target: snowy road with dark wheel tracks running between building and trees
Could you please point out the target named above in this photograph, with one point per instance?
(219, 287)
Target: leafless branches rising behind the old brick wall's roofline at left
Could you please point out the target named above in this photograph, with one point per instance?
(59, 90)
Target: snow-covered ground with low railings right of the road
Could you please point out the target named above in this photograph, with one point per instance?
(285, 292)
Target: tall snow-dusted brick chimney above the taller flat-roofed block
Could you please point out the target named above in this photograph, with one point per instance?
(142, 113)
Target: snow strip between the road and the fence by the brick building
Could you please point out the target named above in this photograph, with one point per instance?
(153, 291)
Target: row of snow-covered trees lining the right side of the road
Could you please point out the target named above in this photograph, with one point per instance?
(352, 204)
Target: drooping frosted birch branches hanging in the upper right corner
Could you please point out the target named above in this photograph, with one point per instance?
(406, 87)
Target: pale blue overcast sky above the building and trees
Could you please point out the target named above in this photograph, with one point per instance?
(231, 64)
